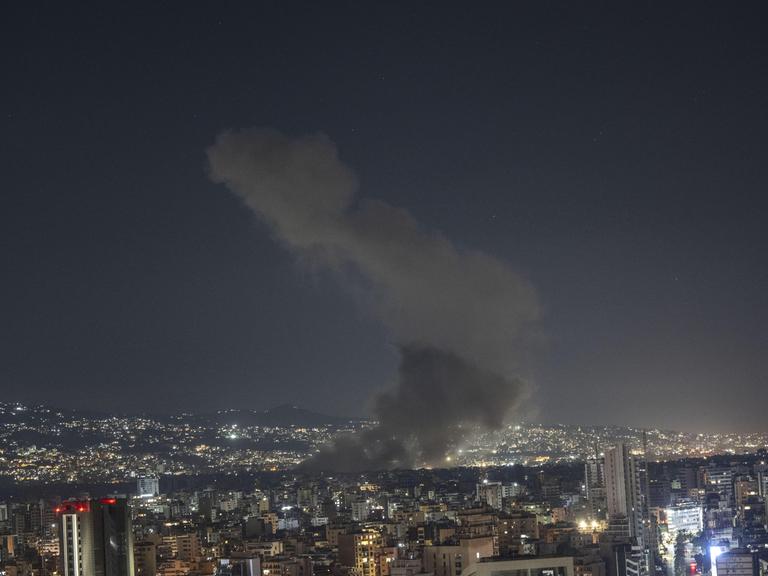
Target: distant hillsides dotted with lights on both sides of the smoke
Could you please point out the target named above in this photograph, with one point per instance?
(42, 445)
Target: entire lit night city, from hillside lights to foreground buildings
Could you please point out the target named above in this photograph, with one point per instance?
(191, 494)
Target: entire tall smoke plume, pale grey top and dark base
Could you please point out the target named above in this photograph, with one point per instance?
(459, 316)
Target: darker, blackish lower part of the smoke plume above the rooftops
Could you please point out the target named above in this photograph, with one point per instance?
(418, 420)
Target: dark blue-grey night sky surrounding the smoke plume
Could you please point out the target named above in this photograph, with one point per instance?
(615, 156)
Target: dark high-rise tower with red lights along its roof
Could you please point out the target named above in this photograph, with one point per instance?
(95, 538)
